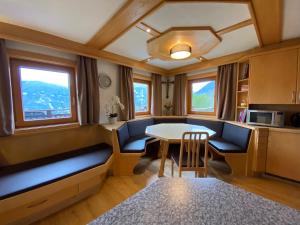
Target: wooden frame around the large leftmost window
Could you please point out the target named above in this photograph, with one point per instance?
(15, 63)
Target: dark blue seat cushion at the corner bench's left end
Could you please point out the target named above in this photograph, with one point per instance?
(136, 144)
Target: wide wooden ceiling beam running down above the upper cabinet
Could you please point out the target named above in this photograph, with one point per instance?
(268, 15)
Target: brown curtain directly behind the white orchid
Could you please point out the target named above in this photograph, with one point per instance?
(126, 92)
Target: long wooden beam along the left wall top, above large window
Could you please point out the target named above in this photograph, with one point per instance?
(26, 35)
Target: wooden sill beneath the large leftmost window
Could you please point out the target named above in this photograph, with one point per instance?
(44, 129)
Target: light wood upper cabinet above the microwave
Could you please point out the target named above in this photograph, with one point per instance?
(273, 78)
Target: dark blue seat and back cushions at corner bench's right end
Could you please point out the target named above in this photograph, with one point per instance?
(234, 139)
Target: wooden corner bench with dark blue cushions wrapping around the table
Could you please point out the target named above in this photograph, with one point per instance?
(231, 142)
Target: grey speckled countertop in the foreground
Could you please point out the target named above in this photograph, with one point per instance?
(197, 201)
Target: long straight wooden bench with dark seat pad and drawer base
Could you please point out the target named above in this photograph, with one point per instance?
(32, 188)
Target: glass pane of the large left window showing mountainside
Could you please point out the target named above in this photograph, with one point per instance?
(45, 94)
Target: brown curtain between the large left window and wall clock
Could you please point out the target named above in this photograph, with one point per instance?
(88, 91)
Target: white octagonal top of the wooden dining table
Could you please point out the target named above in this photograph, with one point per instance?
(172, 132)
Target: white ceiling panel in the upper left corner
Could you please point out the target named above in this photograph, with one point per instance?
(75, 20)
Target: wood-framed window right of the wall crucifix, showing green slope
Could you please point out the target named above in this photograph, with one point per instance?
(202, 96)
